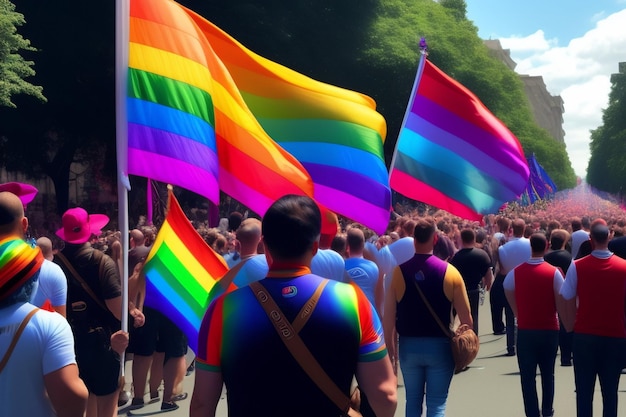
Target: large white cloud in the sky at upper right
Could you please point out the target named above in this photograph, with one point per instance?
(580, 72)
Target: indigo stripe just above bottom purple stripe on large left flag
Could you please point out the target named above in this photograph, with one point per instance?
(169, 144)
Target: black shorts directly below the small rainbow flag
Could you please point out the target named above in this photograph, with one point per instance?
(158, 334)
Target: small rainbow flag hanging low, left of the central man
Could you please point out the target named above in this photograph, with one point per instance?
(180, 272)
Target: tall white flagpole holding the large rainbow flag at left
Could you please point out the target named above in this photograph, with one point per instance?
(122, 13)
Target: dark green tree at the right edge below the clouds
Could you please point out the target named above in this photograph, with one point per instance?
(607, 165)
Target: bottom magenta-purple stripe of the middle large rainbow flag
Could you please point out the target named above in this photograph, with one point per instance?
(376, 218)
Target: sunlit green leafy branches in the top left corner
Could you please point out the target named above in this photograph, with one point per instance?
(14, 69)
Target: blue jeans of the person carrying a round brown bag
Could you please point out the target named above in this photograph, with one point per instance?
(427, 367)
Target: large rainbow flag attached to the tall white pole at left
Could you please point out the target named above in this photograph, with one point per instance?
(188, 124)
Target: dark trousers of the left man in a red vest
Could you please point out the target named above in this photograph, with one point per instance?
(537, 348)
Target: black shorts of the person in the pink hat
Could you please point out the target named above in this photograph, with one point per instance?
(98, 364)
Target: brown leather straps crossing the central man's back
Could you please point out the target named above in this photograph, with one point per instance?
(296, 346)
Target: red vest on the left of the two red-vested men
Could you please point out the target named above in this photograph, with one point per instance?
(534, 295)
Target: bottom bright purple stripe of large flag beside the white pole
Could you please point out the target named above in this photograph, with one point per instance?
(173, 171)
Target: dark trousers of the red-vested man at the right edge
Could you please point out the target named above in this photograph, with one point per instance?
(599, 356)
